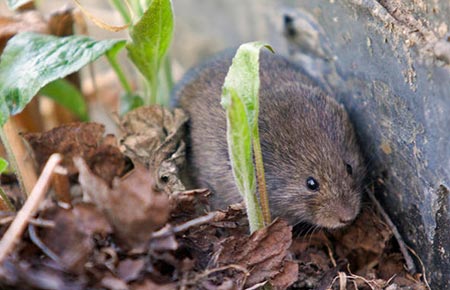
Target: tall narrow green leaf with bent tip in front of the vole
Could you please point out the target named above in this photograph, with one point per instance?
(240, 98)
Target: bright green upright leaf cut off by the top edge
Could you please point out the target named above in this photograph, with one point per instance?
(150, 40)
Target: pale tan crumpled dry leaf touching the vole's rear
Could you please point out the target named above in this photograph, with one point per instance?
(154, 136)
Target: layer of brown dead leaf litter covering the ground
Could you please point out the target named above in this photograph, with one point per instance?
(125, 221)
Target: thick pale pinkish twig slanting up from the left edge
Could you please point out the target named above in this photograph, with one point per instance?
(30, 207)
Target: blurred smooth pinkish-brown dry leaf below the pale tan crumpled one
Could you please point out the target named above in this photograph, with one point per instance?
(132, 205)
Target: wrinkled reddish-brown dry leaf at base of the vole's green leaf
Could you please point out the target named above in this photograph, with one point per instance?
(263, 253)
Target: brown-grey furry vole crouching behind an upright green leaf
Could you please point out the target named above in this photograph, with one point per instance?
(304, 133)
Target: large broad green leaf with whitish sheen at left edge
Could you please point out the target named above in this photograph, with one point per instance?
(30, 61)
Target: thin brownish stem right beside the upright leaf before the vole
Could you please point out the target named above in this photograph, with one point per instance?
(263, 198)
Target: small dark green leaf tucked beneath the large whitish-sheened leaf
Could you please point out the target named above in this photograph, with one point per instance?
(67, 95)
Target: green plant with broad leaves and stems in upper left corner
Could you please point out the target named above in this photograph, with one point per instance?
(34, 62)
